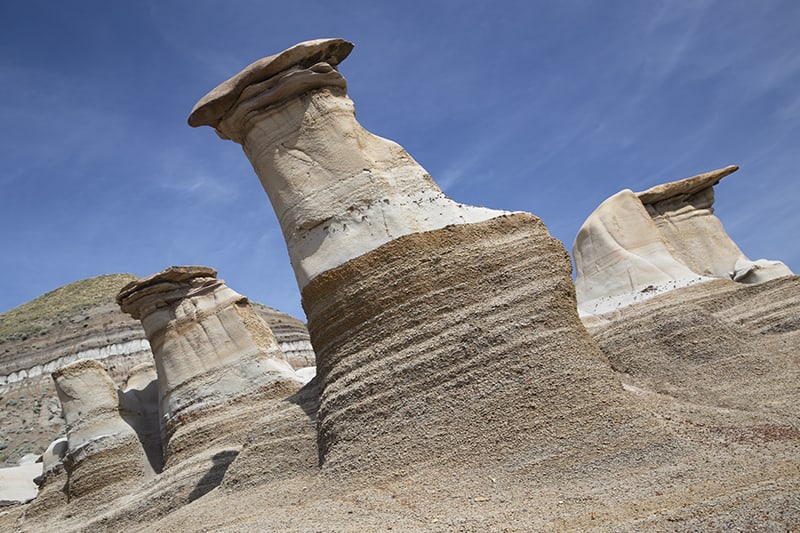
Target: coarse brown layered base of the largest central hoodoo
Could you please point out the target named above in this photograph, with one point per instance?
(460, 345)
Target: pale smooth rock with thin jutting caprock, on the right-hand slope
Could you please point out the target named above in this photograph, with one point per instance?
(637, 245)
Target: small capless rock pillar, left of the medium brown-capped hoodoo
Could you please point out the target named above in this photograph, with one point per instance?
(104, 453)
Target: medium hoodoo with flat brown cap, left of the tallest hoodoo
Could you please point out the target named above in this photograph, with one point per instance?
(217, 361)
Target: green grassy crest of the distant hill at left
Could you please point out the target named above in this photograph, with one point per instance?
(61, 303)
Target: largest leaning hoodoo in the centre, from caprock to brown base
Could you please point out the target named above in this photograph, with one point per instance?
(431, 320)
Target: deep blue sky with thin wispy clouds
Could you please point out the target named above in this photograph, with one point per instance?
(547, 107)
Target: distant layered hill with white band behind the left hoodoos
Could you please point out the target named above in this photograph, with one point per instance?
(83, 321)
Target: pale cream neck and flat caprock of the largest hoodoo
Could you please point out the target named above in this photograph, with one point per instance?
(338, 191)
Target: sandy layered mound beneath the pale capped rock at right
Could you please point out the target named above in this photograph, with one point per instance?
(720, 344)
